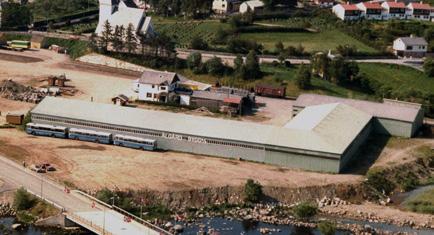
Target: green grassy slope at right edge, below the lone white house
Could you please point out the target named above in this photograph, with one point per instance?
(400, 78)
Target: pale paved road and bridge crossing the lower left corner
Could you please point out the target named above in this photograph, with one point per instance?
(94, 216)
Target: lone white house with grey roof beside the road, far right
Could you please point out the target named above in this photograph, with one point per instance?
(410, 47)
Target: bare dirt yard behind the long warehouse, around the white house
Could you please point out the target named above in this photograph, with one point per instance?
(101, 83)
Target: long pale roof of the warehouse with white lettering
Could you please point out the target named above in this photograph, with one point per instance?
(332, 133)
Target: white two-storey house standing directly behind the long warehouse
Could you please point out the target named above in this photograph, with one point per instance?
(155, 86)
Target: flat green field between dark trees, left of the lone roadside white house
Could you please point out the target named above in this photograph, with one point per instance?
(321, 41)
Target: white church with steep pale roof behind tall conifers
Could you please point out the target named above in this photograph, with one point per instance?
(123, 13)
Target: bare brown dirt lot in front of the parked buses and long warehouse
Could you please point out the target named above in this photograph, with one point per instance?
(91, 166)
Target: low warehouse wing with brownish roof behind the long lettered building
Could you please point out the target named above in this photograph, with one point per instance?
(391, 117)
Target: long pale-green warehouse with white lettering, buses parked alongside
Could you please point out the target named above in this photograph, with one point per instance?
(320, 138)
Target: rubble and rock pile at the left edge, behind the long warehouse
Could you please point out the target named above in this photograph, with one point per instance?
(15, 91)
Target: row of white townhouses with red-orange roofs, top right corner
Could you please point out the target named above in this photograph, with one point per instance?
(384, 11)
